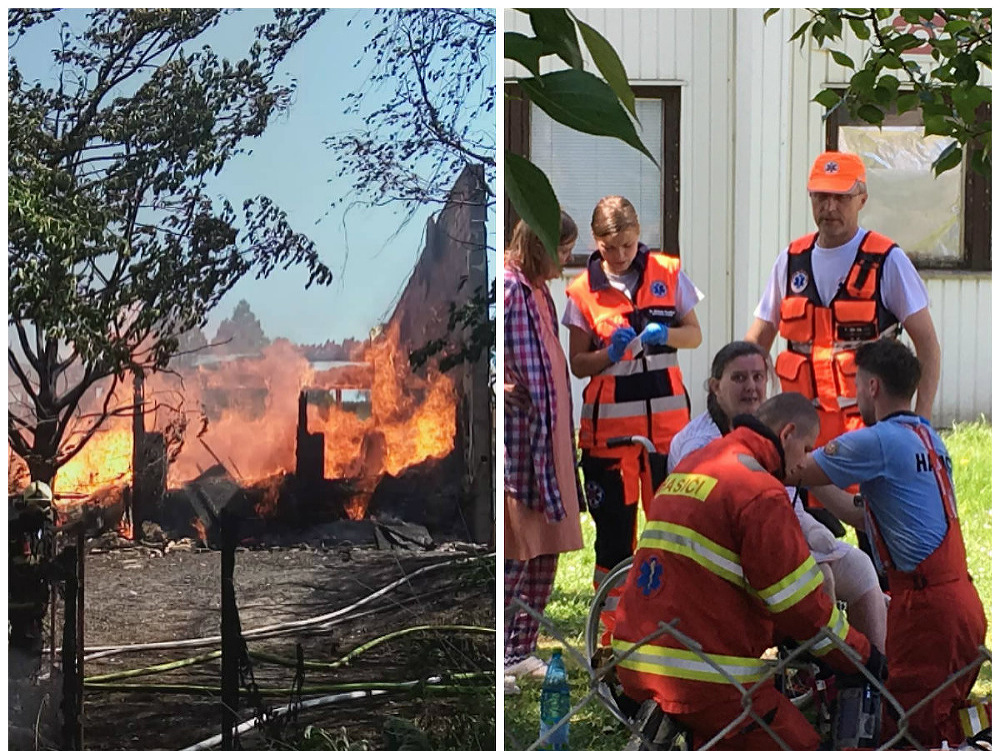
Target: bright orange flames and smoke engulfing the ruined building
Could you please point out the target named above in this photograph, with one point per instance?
(243, 412)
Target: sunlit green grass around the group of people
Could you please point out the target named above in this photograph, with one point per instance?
(594, 729)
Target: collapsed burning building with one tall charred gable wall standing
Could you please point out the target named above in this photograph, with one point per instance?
(304, 442)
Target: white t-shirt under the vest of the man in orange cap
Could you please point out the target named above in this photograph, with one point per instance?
(903, 291)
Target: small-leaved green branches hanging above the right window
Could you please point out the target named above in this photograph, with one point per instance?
(948, 92)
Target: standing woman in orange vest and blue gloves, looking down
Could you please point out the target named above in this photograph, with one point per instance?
(628, 313)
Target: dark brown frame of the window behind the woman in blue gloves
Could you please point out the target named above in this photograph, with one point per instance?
(517, 139)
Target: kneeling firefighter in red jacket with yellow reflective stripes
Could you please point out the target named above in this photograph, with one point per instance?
(723, 554)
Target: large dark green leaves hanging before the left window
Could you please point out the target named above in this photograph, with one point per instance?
(601, 105)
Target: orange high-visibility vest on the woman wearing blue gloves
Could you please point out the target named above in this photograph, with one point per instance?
(642, 394)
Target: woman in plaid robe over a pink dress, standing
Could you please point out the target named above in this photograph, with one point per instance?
(541, 489)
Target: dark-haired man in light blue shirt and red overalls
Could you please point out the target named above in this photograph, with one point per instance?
(936, 621)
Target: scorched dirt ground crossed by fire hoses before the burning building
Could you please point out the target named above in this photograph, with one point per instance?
(141, 595)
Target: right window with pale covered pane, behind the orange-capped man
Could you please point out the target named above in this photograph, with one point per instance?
(942, 222)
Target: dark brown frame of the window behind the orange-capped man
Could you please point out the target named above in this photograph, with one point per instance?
(977, 195)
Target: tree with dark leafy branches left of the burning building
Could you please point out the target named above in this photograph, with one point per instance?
(115, 244)
